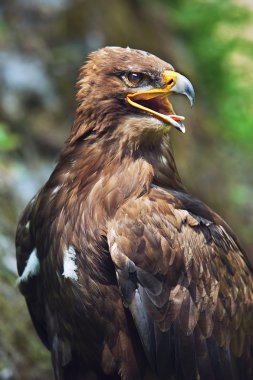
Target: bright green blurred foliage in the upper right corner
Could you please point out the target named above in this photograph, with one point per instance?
(219, 34)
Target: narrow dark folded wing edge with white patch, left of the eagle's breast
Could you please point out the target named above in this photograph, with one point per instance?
(31, 286)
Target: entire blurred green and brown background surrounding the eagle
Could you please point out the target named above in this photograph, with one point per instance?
(42, 45)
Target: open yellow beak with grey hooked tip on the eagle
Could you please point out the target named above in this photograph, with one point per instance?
(156, 102)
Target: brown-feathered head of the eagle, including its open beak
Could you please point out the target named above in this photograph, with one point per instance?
(130, 86)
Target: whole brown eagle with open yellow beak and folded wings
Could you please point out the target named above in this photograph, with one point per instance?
(125, 274)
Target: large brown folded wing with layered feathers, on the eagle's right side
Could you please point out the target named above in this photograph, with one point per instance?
(188, 286)
